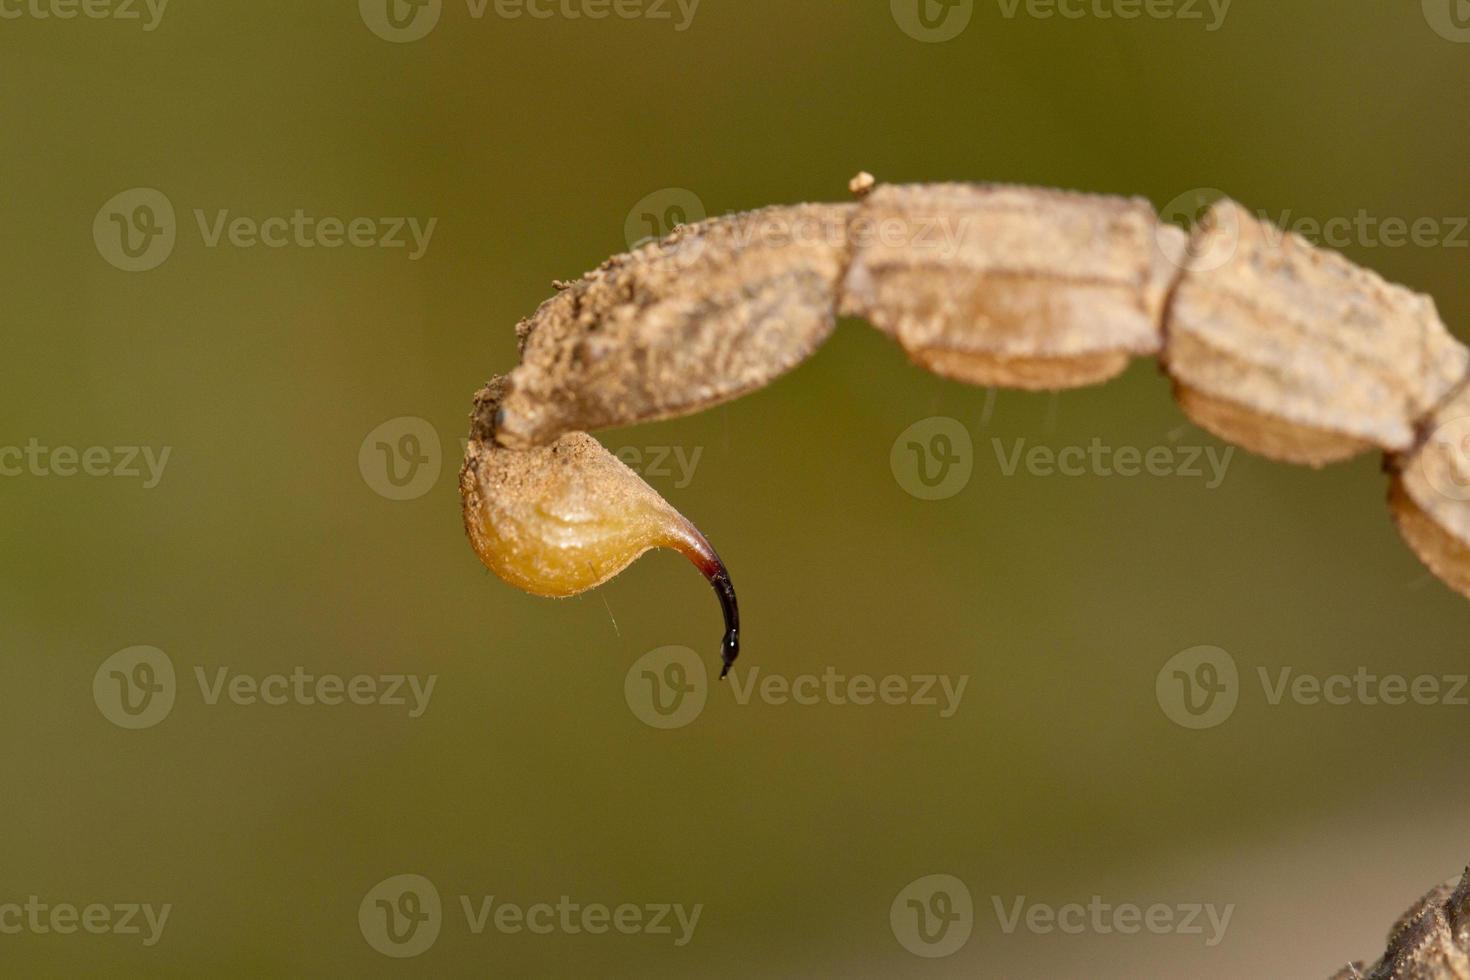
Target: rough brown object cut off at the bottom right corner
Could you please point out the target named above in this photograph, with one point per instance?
(1430, 943)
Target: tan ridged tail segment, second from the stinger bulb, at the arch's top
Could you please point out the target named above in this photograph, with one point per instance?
(1012, 286)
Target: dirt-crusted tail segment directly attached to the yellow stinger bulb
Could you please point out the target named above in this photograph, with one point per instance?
(712, 312)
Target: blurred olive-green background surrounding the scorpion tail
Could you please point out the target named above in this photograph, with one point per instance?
(267, 549)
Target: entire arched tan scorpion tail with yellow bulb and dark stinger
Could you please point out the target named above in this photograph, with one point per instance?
(1274, 345)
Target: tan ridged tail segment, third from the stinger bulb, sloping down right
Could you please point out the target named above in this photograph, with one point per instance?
(1299, 355)
